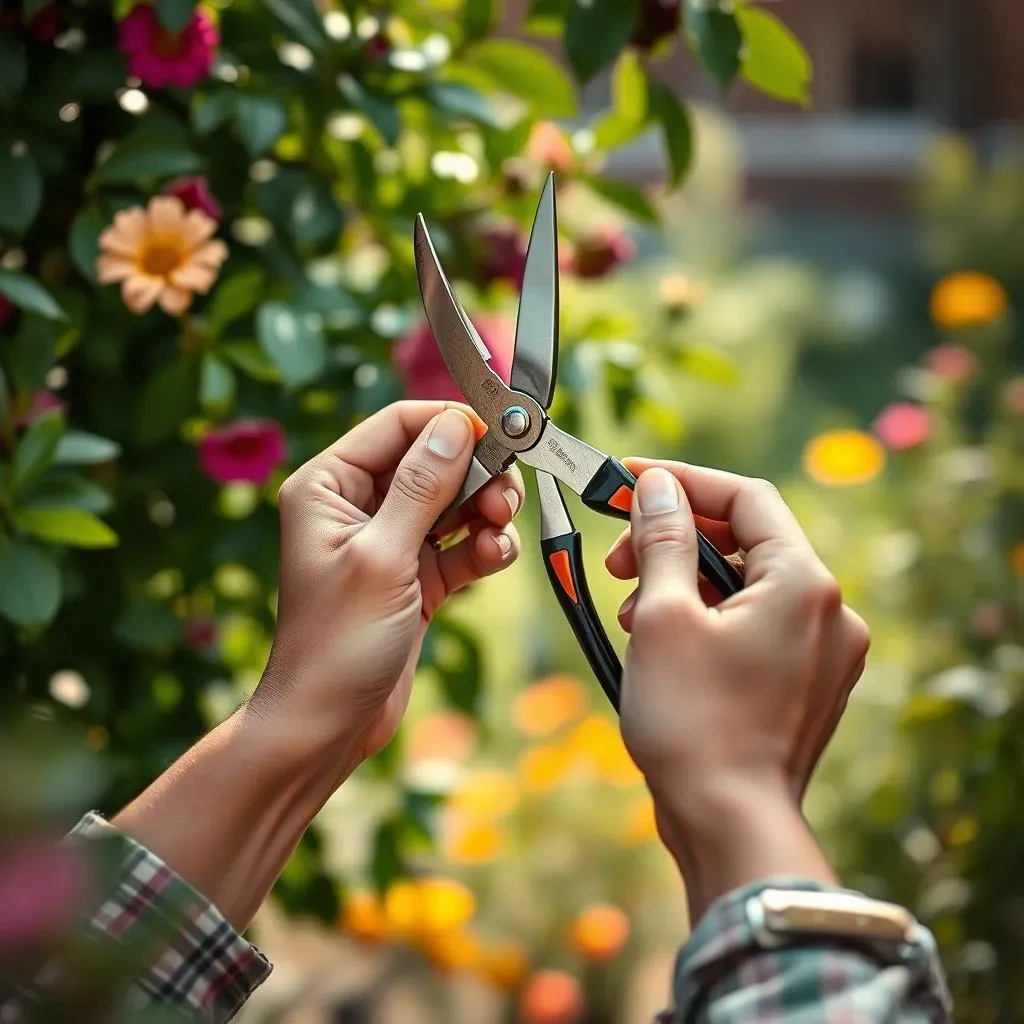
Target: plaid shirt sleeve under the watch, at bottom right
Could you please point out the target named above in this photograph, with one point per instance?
(724, 976)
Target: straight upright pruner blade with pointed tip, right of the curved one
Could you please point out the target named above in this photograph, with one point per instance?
(537, 328)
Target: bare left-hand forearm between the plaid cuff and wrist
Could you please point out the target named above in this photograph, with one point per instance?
(230, 814)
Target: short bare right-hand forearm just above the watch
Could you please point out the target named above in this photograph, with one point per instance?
(731, 834)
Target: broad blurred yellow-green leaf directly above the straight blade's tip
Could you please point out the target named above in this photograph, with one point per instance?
(527, 73)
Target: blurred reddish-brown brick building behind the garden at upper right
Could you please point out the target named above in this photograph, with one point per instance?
(888, 75)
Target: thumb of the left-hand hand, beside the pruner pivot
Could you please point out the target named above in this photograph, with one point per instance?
(426, 482)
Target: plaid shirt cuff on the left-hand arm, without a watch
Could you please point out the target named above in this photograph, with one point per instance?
(191, 958)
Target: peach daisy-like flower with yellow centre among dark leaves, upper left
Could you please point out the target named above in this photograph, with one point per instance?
(162, 254)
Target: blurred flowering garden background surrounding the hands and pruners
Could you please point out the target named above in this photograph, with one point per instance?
(792, 248)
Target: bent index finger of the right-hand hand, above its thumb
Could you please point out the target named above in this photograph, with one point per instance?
(753, 508)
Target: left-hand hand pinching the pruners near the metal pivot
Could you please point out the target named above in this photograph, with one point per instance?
(359, 582)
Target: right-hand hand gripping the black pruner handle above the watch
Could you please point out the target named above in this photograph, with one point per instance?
(743, 694)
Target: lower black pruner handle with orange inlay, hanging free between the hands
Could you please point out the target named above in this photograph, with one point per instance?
(564, 561)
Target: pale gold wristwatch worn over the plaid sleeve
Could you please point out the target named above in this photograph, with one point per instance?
(779, 917)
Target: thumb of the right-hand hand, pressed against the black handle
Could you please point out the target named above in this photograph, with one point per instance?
(664, 535)
